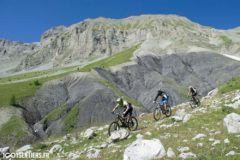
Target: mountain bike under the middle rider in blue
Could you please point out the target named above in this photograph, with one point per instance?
(159, 110)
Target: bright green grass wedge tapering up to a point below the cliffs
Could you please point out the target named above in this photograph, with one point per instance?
(113, 60)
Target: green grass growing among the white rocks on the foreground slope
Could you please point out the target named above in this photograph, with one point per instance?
(205, 123)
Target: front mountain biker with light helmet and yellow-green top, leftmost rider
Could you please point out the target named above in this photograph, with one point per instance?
(128, 109)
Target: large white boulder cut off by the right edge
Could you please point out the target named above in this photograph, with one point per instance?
(232, 123)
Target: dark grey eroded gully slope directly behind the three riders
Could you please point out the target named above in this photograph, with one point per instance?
(85, 99)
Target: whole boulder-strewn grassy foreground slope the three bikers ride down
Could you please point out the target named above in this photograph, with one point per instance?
(210, 132)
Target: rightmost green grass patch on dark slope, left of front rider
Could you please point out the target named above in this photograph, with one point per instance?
(71, 118)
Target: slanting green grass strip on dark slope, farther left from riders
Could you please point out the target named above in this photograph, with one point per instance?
(55, 114)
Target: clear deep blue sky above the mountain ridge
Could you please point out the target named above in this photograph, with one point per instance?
(26, 20)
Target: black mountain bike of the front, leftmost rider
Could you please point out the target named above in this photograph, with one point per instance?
(121, 121)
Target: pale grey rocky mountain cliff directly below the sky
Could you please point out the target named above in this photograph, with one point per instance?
(91, 38)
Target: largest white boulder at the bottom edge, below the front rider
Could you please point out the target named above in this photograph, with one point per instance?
(142, 149)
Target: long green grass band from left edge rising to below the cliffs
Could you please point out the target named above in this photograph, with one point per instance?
(25, 89)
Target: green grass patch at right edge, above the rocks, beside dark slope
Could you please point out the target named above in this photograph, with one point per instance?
(231, 85)
